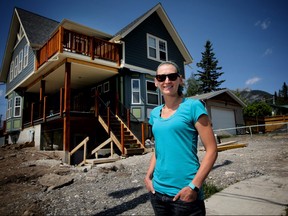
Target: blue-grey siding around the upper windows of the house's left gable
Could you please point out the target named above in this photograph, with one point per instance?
(25, 71)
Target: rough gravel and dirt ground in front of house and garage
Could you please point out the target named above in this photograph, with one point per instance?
(118, 188)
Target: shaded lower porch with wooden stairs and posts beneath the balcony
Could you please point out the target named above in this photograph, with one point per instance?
(91, 117)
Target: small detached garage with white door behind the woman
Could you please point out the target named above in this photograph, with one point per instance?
(225, 111)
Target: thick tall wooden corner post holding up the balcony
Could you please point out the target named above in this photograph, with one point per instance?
(66, 121)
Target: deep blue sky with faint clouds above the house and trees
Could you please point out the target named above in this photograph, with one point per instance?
(249, 37)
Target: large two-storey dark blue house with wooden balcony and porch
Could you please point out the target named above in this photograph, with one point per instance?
(68, 84)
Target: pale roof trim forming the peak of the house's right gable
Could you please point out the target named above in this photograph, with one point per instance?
(168, 24)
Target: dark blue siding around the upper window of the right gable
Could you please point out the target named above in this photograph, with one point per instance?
(136, 44)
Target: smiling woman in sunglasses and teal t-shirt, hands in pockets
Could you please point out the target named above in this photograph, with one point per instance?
(175, 176)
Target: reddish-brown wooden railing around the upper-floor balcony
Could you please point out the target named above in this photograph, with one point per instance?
(69, 41)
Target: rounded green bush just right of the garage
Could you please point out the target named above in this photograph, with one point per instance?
(257, 109)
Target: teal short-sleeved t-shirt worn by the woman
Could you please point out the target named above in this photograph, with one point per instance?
(176, 147)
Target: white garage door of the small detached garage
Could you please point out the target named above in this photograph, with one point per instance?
(223, 118)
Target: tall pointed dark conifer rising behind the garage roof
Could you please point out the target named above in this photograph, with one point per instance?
(209, 75)
